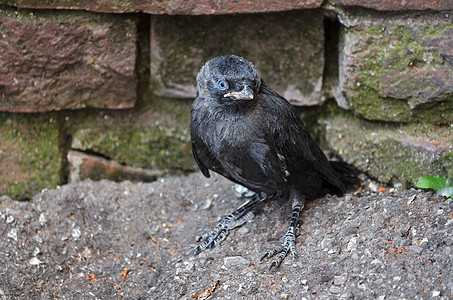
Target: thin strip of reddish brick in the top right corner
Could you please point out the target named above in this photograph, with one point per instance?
(392, 5)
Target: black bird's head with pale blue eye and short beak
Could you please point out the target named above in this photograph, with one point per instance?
(228, 79)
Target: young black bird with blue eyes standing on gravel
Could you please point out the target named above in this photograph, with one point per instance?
(245, 131)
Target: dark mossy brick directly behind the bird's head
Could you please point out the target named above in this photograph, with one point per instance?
(287, 48)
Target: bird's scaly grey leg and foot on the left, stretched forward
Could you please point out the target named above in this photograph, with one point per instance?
(233, 220)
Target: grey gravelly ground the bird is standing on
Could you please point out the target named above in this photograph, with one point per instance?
(106, 240)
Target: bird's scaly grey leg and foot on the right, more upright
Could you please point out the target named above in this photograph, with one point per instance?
(289, 239)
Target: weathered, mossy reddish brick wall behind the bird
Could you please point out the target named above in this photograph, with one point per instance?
(101, 89)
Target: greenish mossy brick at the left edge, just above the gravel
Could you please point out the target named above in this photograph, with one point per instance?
(29, 155)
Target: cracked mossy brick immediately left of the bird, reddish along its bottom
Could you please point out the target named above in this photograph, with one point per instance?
(152, 138)
